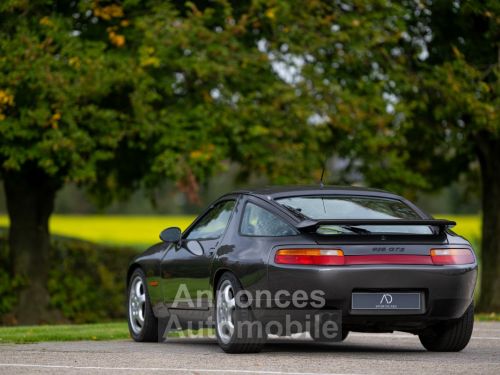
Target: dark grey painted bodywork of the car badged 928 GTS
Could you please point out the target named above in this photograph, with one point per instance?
(446, 291)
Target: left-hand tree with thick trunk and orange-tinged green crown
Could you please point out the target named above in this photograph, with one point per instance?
(60, 114)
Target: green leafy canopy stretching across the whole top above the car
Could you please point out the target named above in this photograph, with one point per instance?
(116, 95)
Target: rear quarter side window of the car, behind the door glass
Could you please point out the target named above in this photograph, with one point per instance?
(258, 221)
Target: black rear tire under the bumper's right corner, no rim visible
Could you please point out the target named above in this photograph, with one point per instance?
(450, 336)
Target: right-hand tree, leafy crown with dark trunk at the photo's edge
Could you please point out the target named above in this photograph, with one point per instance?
(432, 114)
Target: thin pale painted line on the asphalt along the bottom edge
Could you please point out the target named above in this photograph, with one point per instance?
(219, 371)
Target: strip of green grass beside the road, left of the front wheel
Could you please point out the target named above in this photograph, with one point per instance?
(100, 331)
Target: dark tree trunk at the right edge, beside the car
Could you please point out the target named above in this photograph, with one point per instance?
(489, 158)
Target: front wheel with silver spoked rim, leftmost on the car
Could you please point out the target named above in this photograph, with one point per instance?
(142, 324)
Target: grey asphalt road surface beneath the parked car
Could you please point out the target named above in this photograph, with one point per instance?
(360, 354)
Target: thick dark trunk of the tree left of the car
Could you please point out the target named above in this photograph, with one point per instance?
(30, 196)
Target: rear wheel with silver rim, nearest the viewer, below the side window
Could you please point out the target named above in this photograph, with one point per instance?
(225, 306)
